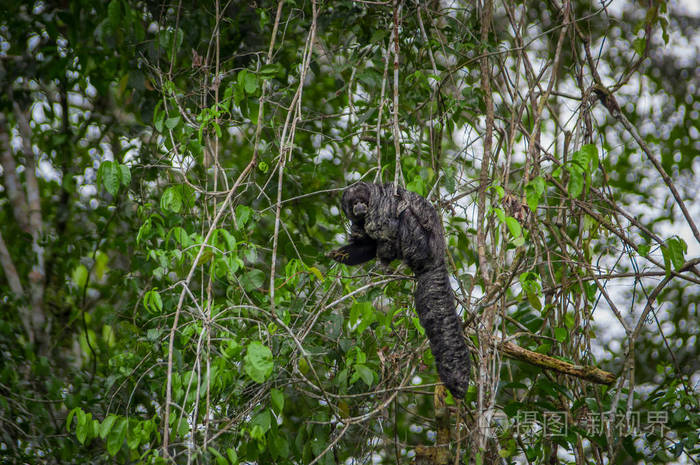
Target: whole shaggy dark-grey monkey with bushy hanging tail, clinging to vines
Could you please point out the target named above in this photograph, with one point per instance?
(394, 224)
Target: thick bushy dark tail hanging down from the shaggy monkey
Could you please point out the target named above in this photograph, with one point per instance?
(436, 309)
